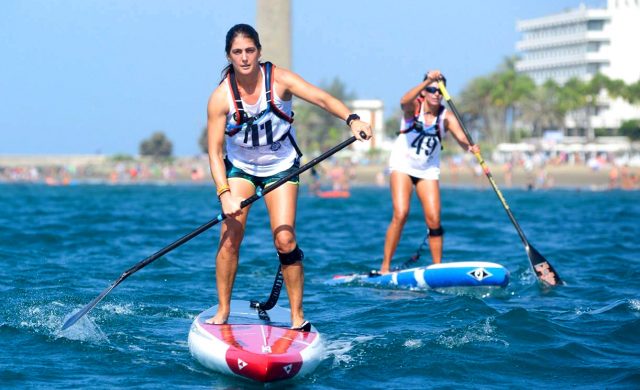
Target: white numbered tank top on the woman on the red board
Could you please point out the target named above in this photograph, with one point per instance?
(261, 148)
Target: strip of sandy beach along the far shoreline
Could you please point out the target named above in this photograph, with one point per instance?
(76, 169)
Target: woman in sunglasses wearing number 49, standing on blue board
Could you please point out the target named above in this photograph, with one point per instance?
(415, 161)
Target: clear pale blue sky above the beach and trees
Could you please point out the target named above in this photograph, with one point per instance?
(98, 76)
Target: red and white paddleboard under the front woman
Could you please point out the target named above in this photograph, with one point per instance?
(255, 344)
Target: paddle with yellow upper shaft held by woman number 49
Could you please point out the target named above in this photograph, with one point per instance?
(542, 268)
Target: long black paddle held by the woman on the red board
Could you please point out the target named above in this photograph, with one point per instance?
(73, 319)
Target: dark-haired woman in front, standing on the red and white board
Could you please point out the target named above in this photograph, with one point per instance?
(251, 146)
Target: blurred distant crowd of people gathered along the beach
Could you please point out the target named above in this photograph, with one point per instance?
(339, 173)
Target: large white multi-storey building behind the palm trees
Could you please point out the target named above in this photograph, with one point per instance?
(580, 43)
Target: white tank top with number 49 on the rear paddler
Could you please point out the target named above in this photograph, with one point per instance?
(417, 153)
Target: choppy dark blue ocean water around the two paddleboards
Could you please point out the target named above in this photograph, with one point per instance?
(61, 246)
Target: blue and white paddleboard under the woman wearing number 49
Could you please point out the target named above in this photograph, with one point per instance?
(456, 274)
